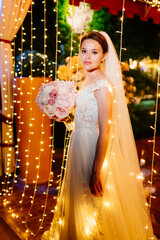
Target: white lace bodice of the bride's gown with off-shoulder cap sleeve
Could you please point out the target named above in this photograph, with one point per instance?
(86, 113)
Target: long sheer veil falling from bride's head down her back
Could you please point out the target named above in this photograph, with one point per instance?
(122, 154)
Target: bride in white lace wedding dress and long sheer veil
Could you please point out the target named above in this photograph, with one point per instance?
(102, 195)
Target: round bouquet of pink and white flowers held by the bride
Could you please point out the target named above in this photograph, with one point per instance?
(57, 99)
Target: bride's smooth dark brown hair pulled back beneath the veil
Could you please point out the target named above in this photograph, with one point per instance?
(97, 36)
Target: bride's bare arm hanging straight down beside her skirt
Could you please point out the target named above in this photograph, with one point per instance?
(104, 102)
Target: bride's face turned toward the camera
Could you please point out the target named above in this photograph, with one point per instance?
(91, 55)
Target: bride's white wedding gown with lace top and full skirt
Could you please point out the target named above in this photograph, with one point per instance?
(121, 213)
